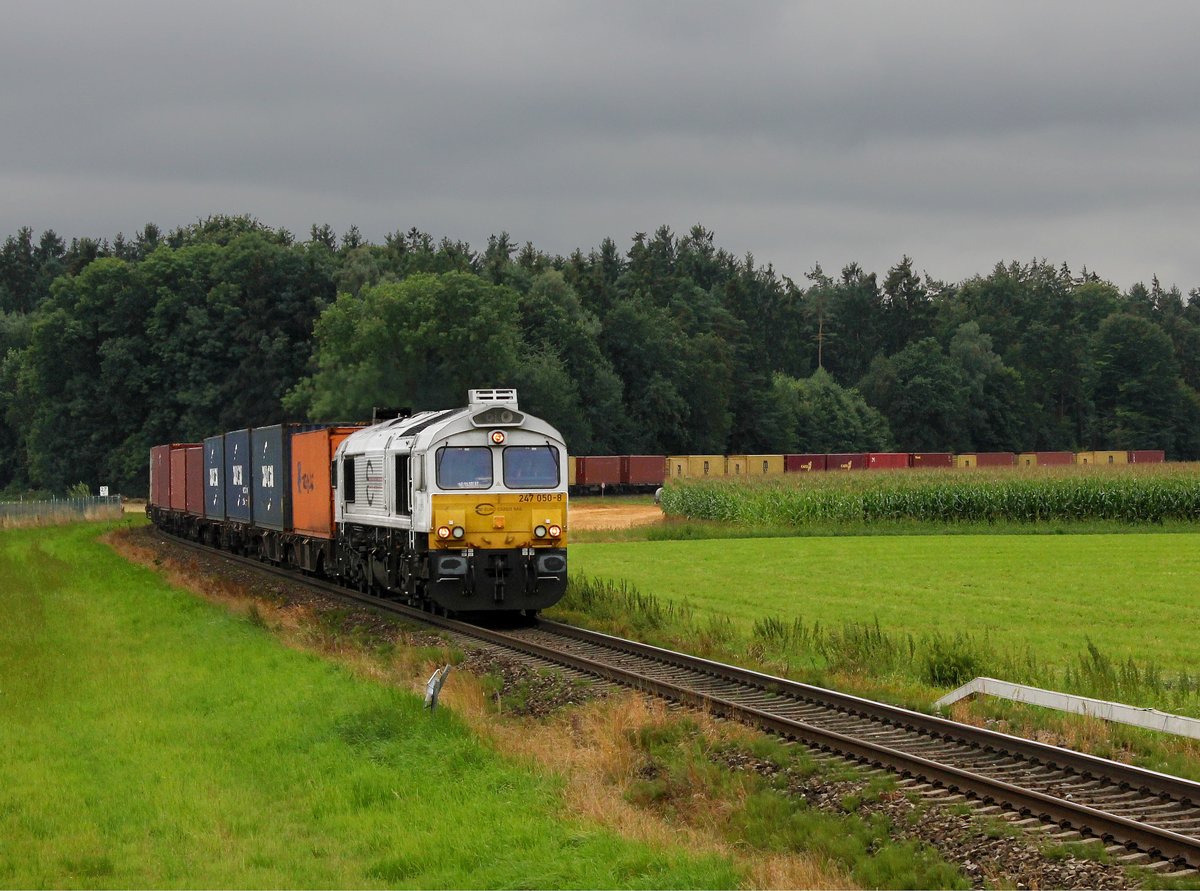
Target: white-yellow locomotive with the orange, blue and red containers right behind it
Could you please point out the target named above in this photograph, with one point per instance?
(461, 510)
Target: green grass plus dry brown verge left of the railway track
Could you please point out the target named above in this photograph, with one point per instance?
(338, 782)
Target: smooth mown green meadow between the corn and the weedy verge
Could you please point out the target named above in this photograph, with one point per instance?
(1131, 596)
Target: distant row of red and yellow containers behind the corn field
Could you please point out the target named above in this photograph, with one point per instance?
(622, 474)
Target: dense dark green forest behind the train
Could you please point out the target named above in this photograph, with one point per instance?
(671, 346)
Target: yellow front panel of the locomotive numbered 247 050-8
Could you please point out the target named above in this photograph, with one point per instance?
(500, 519)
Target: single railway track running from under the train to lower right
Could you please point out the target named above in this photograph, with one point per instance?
(1143, 816)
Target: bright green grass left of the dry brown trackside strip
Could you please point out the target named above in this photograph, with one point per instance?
(151, 739)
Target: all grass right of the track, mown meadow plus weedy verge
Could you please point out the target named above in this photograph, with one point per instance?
(907, 618)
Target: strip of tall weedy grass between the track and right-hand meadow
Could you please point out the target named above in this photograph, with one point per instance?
(911, 669)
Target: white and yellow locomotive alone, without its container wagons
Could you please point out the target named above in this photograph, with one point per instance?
(463, 509)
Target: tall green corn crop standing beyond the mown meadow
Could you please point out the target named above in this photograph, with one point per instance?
(1136, 495)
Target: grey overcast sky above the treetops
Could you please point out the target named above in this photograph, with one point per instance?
(961, 134)
